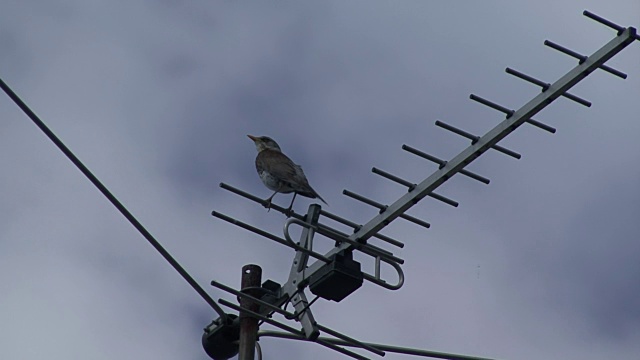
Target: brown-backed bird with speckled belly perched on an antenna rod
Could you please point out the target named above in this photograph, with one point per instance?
(279, 173)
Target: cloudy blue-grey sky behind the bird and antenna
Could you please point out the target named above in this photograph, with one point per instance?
(157, 97)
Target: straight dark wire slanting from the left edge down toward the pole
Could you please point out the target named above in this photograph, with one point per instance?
(103, 189)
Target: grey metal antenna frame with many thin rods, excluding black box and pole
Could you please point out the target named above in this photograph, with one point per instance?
(301, 273)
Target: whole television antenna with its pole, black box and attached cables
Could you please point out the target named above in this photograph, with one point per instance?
(334, 275)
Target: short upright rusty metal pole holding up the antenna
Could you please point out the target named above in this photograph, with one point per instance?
(251, 278)
